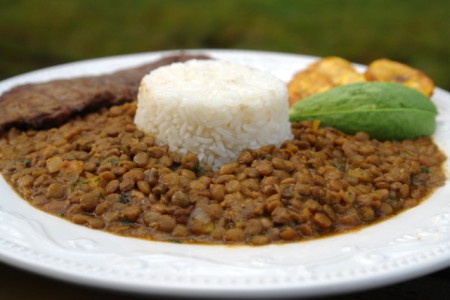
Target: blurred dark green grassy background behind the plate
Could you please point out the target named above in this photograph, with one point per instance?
(35, 34)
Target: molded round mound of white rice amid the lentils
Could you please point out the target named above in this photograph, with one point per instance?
(214, 109)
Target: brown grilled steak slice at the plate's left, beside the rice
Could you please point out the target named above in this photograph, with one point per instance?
(49, 104)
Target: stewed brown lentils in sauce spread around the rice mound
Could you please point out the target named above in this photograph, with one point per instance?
(100, 171)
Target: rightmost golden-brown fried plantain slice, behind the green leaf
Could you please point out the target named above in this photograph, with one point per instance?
(391, 71)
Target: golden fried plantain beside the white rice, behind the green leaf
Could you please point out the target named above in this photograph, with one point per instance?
(321, 76)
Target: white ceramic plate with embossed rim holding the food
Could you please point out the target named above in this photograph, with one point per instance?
(412, 244)
